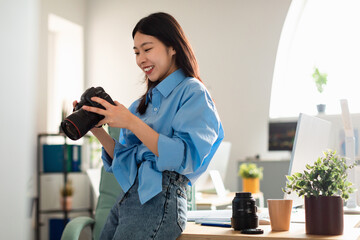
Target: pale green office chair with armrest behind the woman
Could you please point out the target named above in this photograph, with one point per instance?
(109, 190)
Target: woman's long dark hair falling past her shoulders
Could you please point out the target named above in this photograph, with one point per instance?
(164, 27)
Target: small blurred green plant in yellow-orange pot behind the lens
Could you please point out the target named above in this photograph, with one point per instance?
(251, 175)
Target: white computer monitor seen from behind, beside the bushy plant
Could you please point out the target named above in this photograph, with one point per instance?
(311, 140)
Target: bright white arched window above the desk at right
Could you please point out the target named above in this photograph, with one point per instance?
(323, 34)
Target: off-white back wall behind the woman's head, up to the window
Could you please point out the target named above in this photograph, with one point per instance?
(235, 42)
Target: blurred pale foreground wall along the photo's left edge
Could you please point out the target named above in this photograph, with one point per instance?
(18, 61)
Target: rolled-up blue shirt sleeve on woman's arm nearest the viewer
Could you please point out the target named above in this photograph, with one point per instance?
(196, 128)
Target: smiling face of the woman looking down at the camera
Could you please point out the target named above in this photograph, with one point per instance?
(153, 57)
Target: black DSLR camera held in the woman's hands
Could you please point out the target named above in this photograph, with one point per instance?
(80, 121)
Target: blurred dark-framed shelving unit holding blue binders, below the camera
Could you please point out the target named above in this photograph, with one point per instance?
(54, 160)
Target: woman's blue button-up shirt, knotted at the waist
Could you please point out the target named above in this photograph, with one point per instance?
(181, 110)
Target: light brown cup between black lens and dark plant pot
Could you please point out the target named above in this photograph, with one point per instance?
(280, 213)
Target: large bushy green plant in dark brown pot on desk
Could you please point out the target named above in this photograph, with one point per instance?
(324, 186)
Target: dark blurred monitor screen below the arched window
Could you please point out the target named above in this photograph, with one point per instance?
(281, 136)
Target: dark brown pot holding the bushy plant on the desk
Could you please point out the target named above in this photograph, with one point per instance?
(324, 215)
